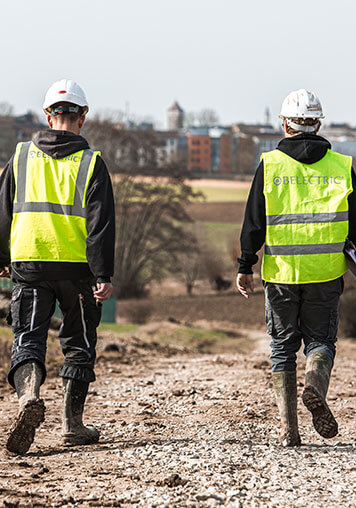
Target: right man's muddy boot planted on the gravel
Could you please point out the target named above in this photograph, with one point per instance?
(285, 386)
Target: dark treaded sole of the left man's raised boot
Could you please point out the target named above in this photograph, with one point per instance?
(22, 432)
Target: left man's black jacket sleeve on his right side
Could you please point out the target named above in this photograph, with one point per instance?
(100, 223)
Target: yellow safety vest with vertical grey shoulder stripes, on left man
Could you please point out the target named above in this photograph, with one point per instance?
(49, 214)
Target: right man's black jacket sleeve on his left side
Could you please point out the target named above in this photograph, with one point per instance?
(254, 227)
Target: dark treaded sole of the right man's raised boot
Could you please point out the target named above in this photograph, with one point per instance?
(323, 419)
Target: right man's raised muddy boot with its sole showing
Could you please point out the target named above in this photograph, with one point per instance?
(317, 376)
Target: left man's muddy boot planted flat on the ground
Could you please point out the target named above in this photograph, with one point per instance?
(73, 430)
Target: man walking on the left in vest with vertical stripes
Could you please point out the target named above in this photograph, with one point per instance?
(57, 231)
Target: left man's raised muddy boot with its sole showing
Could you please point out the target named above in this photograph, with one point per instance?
(27, 381)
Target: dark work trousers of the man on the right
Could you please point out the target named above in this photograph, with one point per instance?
(296, 312)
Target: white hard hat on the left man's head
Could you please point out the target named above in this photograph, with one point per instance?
(65, 90)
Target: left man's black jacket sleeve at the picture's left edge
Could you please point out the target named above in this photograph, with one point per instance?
(7, 191)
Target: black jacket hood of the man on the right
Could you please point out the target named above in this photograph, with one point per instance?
(305, 148)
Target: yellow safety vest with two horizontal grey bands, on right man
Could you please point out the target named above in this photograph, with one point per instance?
(306, 217)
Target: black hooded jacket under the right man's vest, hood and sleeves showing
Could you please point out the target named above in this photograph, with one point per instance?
(305, 148)
